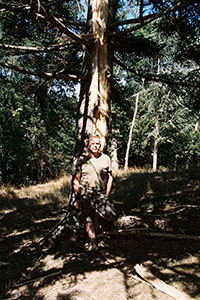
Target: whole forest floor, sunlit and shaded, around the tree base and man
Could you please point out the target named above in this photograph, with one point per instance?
(162, 234)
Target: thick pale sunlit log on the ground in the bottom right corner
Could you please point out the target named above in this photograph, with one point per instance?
(160, 285)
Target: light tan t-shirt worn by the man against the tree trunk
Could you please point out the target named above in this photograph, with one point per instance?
(94, 173)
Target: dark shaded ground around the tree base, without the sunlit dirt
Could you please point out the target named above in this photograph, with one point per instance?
(160, 202)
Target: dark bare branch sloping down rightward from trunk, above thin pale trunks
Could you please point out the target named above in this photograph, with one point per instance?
(152, 77)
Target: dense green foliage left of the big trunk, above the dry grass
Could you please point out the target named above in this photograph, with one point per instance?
(36, 141)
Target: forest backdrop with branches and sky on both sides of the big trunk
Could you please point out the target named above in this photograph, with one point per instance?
(154, 103)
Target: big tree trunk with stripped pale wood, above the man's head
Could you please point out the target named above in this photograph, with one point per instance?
(95, 92)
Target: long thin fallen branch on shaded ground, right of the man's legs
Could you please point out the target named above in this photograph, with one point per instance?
(143, 231)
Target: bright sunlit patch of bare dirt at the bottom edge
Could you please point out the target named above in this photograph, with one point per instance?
(107, 284)
